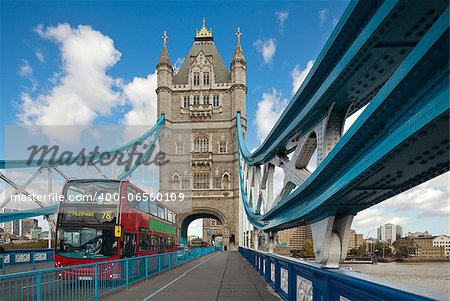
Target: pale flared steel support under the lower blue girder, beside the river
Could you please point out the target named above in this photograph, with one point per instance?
(330, 238)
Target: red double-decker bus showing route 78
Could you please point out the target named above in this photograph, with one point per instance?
(102, 220)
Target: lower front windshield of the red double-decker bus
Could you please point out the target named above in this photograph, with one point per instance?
(85, 242)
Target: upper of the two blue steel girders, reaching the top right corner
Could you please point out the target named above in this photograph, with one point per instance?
(360, 72)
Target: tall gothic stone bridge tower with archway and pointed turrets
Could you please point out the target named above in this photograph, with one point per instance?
(200, 101)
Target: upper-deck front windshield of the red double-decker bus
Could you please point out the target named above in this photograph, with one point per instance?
(93, 192)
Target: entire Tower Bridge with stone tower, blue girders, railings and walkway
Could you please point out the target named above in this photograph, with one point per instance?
(388, 59)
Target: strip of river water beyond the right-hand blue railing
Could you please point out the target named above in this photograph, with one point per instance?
(431, 275)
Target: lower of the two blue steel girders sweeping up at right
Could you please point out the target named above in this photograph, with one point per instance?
(399, 141)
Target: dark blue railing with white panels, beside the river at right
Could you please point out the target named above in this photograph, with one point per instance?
(295, 279)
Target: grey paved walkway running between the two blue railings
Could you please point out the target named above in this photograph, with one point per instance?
(218, 276)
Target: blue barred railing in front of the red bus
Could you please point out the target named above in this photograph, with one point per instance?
(90, 281)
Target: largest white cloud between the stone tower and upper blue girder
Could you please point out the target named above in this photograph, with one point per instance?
(269, 110)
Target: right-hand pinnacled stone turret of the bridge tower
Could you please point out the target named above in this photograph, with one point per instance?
(238, 78)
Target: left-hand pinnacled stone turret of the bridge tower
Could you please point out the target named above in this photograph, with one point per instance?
(165, 77)
